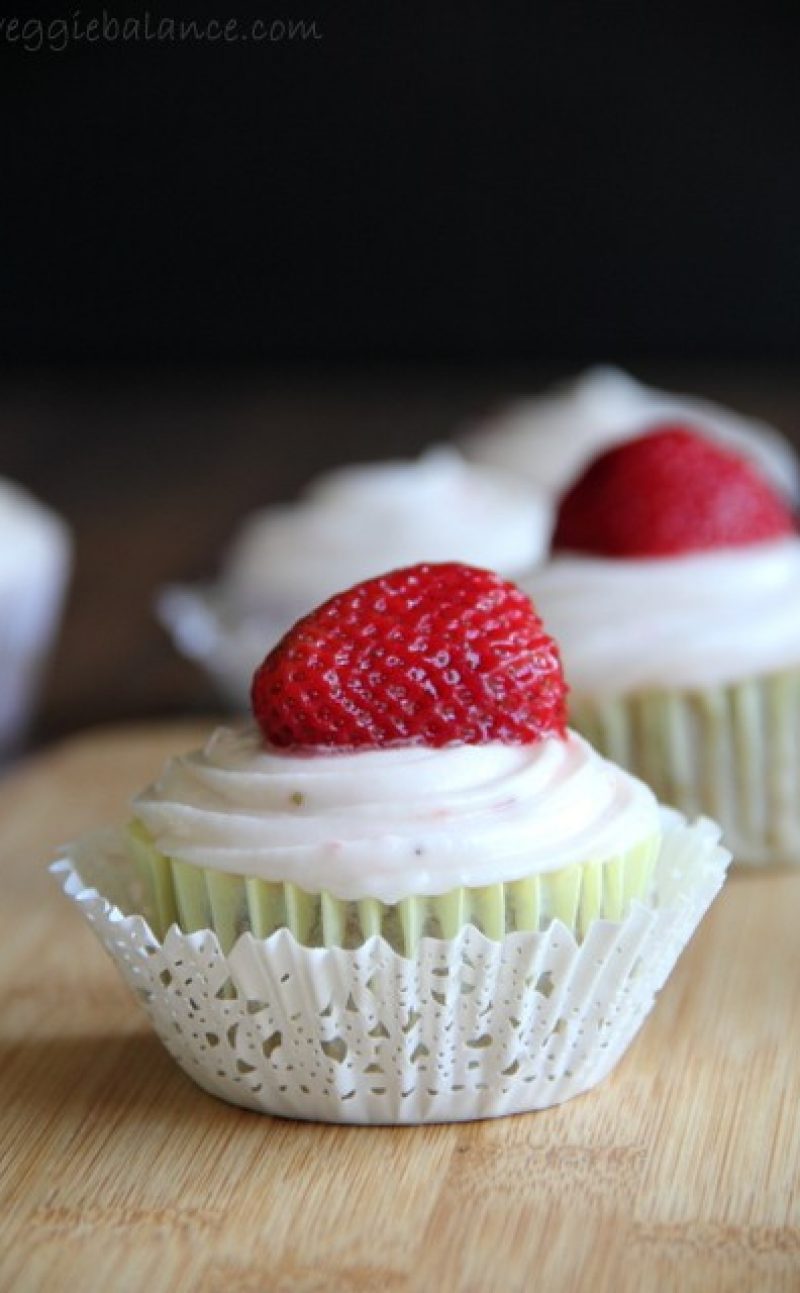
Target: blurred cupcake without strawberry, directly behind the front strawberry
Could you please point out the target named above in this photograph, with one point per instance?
(350, 524)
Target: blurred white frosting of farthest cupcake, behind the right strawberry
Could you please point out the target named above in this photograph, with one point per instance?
(549, 440)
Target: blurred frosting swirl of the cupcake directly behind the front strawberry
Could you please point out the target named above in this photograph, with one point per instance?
(361, 522)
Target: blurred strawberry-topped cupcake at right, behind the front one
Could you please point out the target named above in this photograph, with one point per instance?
(674, 592)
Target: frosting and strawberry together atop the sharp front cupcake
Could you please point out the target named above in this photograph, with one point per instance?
(410, 739)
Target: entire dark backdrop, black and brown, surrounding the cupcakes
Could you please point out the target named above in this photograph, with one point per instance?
(227, 267)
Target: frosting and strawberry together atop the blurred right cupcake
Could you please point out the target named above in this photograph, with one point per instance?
(675, 564)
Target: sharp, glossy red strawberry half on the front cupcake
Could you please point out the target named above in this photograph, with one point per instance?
(432, 655)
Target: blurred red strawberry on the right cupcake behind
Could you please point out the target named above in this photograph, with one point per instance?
(666, 493)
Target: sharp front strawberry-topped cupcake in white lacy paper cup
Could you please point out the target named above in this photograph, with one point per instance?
(405, 893)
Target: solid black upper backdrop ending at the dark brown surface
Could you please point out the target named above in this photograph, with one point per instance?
(425, 183)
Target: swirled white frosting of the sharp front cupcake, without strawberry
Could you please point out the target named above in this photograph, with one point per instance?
(392, 823)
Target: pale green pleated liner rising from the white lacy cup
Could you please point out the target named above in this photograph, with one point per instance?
(196, 898)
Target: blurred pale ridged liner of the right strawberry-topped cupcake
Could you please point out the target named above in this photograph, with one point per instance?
(731, 752)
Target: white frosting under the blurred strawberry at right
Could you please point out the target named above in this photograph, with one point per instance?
(693, 621)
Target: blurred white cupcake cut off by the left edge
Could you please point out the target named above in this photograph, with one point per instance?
(36, 563)
